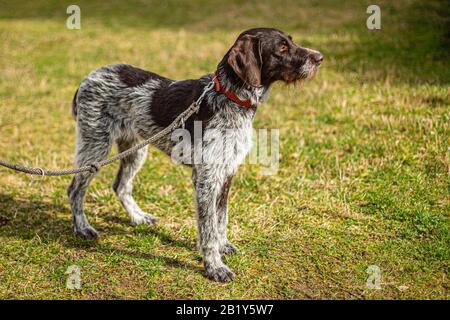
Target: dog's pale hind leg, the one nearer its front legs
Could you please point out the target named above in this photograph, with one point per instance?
(123, 185)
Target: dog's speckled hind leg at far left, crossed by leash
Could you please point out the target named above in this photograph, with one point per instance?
(88, 152)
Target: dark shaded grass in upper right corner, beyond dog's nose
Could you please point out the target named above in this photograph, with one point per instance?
(412, 47)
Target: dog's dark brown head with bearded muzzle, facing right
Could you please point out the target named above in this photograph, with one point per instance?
(264, 55)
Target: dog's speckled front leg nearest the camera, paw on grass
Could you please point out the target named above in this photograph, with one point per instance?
(207, 183)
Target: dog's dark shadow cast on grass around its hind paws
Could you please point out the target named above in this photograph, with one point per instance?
(27, 219)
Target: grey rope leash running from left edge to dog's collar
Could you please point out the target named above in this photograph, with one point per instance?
(96, 166)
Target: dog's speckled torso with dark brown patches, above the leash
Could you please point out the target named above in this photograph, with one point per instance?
(122, 102)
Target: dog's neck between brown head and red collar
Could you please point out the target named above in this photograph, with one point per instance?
(231, 82)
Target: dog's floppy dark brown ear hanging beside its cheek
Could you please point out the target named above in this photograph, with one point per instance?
(245, 59)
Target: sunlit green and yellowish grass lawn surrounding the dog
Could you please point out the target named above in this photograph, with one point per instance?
(363, 176)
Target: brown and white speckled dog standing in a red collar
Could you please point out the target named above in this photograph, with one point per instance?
(123, 104)
